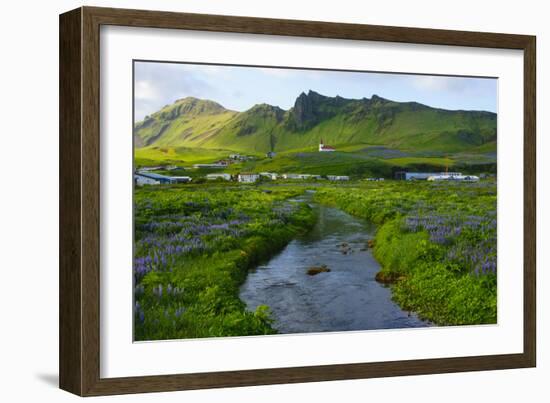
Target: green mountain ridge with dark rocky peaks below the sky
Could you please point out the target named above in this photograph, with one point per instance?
(195, 123)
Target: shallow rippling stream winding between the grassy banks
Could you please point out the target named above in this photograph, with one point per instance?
(346, 298)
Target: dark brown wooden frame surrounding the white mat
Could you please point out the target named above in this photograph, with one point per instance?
(79, 348)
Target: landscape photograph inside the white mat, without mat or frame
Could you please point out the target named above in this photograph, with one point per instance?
(273, 200)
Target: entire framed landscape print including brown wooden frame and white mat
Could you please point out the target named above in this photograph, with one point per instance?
(250, 201)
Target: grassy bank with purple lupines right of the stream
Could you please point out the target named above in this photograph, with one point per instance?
(436, 244)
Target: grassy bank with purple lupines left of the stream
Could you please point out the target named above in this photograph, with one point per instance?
(193, 247)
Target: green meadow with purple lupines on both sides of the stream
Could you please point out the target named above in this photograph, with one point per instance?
(194, 244)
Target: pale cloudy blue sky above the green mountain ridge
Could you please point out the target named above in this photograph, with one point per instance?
(240, 88)
